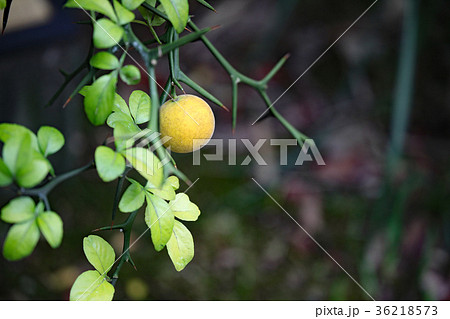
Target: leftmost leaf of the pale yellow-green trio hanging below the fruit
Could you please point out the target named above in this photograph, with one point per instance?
(160, 220)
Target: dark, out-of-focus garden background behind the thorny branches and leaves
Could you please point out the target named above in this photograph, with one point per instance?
(388, 226)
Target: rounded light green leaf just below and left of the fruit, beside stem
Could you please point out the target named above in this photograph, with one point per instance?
(110, 164)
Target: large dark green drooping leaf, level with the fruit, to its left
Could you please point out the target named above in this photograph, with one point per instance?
(99, 99)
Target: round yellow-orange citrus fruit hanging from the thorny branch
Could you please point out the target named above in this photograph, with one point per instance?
(176, 119)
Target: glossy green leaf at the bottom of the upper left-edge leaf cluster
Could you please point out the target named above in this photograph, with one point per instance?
(33, 172)
